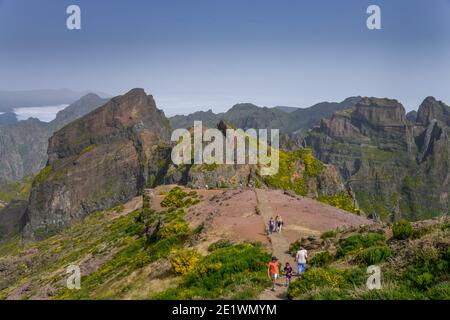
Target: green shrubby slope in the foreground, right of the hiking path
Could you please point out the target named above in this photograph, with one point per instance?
(415, 269)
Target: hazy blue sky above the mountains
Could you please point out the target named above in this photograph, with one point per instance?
(197, 54)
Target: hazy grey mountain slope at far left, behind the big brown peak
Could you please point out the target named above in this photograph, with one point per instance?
(23, 145)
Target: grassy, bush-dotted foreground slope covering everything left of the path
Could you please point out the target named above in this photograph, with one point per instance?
(124, 255)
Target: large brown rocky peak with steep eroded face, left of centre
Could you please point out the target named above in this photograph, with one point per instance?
(98, 161)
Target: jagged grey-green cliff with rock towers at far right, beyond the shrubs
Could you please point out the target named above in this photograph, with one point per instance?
(397, 168)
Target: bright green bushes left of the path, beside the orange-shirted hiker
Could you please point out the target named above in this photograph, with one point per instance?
(234, 272)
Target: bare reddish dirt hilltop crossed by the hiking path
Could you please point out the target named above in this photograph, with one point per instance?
(232, 214)
